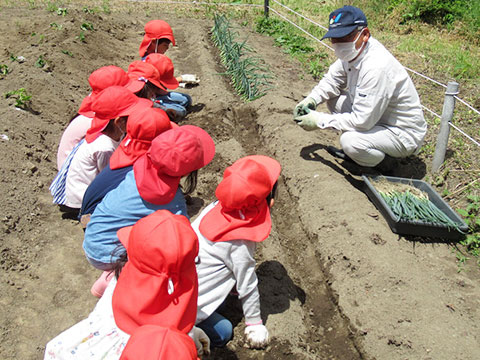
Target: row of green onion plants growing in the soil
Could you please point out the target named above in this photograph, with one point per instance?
(249, 78)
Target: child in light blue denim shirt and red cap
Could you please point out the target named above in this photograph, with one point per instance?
(153, 184)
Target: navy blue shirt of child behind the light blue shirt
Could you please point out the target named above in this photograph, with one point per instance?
(107, 180)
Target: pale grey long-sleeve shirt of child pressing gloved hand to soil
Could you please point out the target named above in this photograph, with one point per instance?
(220, 266)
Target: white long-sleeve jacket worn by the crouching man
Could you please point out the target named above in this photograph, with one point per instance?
(381, 93)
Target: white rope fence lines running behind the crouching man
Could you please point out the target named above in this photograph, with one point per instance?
(269, 8)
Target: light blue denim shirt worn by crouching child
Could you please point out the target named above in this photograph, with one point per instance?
(121, 207)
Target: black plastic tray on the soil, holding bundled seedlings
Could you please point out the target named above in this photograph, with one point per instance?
(417, 228)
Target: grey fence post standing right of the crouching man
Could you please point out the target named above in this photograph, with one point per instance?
(447, 115)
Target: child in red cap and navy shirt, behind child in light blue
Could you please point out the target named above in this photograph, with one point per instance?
(143, 126)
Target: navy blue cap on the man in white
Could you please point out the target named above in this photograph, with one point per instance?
(343, 21)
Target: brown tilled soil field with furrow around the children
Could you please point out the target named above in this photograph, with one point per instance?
(335, 282)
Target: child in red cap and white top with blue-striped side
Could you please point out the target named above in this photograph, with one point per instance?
(112, 107)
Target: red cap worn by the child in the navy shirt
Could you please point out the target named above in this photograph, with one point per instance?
(142, 127)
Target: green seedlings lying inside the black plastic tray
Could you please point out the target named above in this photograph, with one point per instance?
(410, 204)
